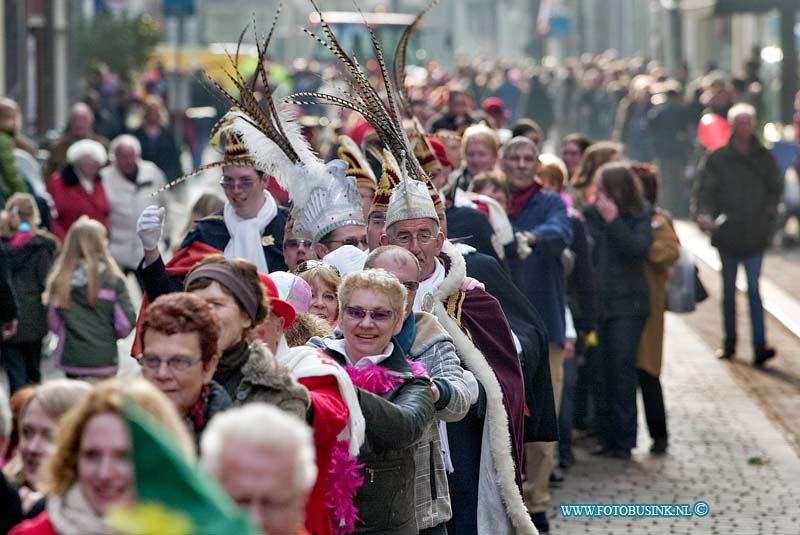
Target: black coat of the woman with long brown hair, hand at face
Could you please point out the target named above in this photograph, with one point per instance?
(618, 254)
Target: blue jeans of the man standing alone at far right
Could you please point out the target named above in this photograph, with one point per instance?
(752, 269)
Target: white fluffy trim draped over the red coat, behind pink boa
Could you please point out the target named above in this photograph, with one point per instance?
(305, 361)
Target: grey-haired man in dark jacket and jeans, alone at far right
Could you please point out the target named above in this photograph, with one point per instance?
(736, 201)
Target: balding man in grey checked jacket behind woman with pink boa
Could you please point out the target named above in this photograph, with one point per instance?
(425, 340)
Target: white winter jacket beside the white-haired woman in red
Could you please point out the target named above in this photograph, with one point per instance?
(126, 201)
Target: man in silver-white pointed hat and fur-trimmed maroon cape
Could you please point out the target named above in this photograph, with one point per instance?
(485, 344)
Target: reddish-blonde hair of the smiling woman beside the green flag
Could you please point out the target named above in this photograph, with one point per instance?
(61, 469)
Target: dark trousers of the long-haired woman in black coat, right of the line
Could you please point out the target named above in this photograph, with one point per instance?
(616, 382)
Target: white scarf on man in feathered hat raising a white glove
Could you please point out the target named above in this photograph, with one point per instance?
(245, 234)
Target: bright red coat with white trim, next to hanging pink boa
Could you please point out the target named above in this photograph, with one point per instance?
(330, 417)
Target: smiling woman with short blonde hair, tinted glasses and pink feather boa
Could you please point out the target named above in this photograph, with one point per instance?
(395, 398)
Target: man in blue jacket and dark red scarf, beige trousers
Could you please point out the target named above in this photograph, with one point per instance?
(541, 217)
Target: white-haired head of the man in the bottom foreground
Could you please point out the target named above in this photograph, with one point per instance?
(264, 459)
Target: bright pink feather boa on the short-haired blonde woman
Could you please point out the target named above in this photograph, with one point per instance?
(344, 474)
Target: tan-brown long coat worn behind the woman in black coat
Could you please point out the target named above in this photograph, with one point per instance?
(663, 253)
